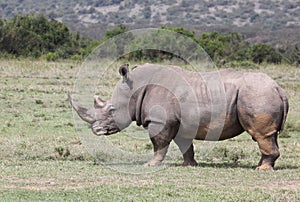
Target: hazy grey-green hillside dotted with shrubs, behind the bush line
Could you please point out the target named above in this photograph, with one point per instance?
(261, 20)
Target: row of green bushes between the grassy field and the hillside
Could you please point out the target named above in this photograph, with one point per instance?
(37, 36)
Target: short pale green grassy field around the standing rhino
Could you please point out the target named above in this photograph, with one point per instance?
(42, 157)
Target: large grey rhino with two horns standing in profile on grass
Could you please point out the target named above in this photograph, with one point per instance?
(180, 105)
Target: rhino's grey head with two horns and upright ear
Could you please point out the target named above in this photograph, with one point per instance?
(108, 117)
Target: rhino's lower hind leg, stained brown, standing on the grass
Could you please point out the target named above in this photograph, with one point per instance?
(270, 152)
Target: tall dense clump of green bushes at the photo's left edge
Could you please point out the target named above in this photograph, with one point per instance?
(36, 36)
